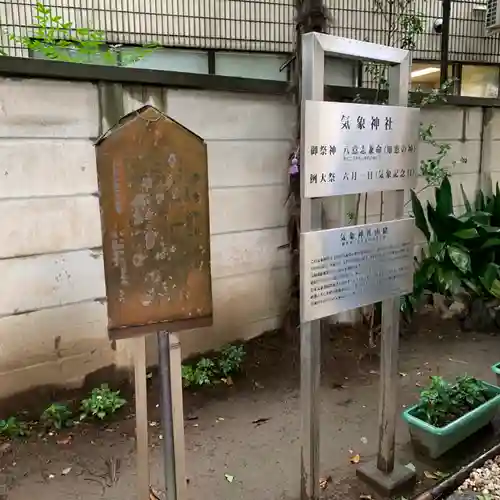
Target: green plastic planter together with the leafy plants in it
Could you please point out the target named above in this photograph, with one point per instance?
(447, 413)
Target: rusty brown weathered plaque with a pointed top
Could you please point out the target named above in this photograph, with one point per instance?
(153, 185)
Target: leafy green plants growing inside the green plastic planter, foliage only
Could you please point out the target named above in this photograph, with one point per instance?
(442, 402)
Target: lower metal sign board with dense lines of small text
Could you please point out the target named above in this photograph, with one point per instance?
(355, 266)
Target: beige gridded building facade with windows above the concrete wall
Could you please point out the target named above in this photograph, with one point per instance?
(254, 38)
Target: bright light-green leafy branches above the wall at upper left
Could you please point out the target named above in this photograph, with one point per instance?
(57, 39)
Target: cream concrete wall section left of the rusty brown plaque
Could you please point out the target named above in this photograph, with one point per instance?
(52, 280)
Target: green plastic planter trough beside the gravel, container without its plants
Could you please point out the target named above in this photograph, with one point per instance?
(435, 441)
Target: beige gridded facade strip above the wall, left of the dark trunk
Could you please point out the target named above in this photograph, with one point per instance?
(250, 25)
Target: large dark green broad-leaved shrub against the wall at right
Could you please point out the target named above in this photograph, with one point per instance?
(462, 254)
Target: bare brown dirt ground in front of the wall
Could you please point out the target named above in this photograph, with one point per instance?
(263, 458)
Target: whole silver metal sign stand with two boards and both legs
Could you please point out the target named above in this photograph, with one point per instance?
(349, 148)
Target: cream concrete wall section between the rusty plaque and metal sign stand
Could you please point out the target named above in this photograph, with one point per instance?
(248, 141)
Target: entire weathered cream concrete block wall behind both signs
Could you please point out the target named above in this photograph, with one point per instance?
(52, 307)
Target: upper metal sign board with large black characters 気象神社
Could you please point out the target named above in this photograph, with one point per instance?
(358, 148)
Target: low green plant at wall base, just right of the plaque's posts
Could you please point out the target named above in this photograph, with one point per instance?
(211, 371)
